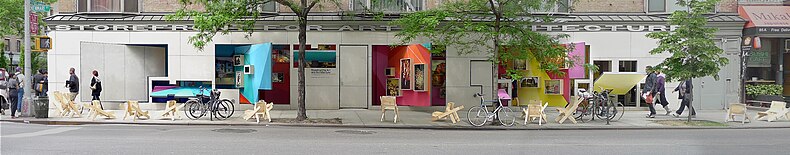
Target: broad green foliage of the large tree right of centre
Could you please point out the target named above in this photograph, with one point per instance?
(501, 27)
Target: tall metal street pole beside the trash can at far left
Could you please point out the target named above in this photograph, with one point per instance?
(27, 80)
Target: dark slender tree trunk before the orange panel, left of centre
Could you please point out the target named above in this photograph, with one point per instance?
(302, 112)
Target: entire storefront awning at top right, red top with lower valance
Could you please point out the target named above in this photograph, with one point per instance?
(766, 19)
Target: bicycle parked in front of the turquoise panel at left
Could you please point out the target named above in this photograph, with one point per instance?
(218, 108)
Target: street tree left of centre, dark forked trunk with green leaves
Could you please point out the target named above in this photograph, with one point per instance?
(243, 14)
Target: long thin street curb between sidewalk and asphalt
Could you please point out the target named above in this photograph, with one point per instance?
(49, 122)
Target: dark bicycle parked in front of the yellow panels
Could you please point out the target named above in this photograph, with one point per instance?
(598, 105)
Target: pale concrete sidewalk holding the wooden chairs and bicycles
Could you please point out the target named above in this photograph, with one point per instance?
(416, 120)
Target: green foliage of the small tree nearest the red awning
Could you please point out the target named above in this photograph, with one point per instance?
(693, 53)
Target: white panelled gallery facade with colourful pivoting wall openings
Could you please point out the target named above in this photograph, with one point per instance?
(351, 62)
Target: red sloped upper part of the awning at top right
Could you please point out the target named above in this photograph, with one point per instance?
(765, 16)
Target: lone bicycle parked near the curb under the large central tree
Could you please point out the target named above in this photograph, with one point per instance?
(479, 115)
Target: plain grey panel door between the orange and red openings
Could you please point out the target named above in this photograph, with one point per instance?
(353, 66)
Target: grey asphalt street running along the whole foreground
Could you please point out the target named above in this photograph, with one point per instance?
(35, 139)
